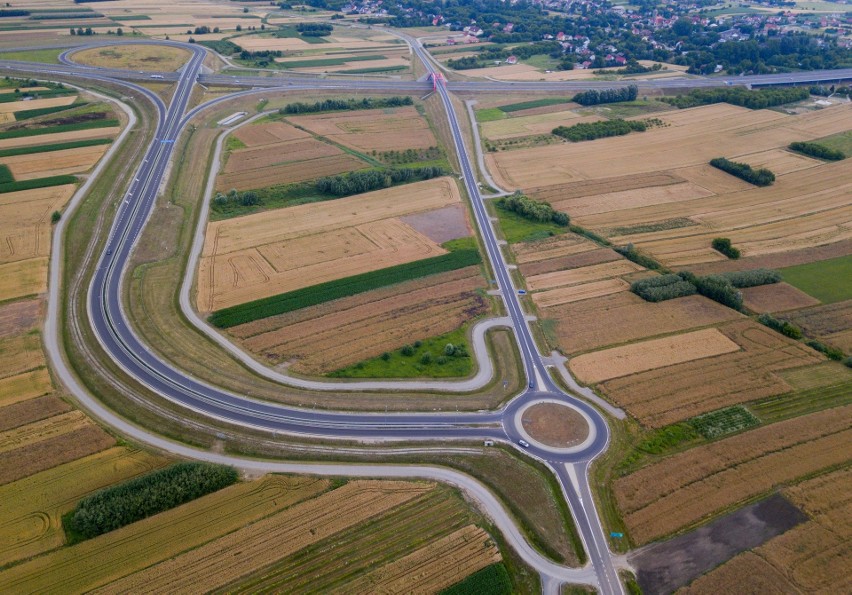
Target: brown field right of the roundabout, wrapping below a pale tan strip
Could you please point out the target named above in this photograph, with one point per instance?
(677, 392)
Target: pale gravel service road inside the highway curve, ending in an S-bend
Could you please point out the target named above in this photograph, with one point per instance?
(485, 365)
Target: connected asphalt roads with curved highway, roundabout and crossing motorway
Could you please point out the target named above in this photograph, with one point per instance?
(115, 333)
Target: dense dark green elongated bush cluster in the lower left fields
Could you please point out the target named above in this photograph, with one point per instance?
(144, 496)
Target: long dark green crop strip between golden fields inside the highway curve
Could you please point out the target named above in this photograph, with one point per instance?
(340, 288)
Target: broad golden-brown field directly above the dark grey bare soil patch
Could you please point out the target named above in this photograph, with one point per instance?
(685, 488)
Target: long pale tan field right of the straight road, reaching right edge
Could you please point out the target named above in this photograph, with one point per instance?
(693, 137)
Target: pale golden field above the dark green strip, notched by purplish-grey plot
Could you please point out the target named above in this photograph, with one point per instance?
(256, 256)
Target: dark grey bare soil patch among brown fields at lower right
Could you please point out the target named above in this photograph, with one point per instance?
(666, 566)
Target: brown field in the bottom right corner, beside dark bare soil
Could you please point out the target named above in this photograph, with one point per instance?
(813, 557)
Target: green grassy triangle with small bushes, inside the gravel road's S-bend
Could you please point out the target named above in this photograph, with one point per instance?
(413, 363)
